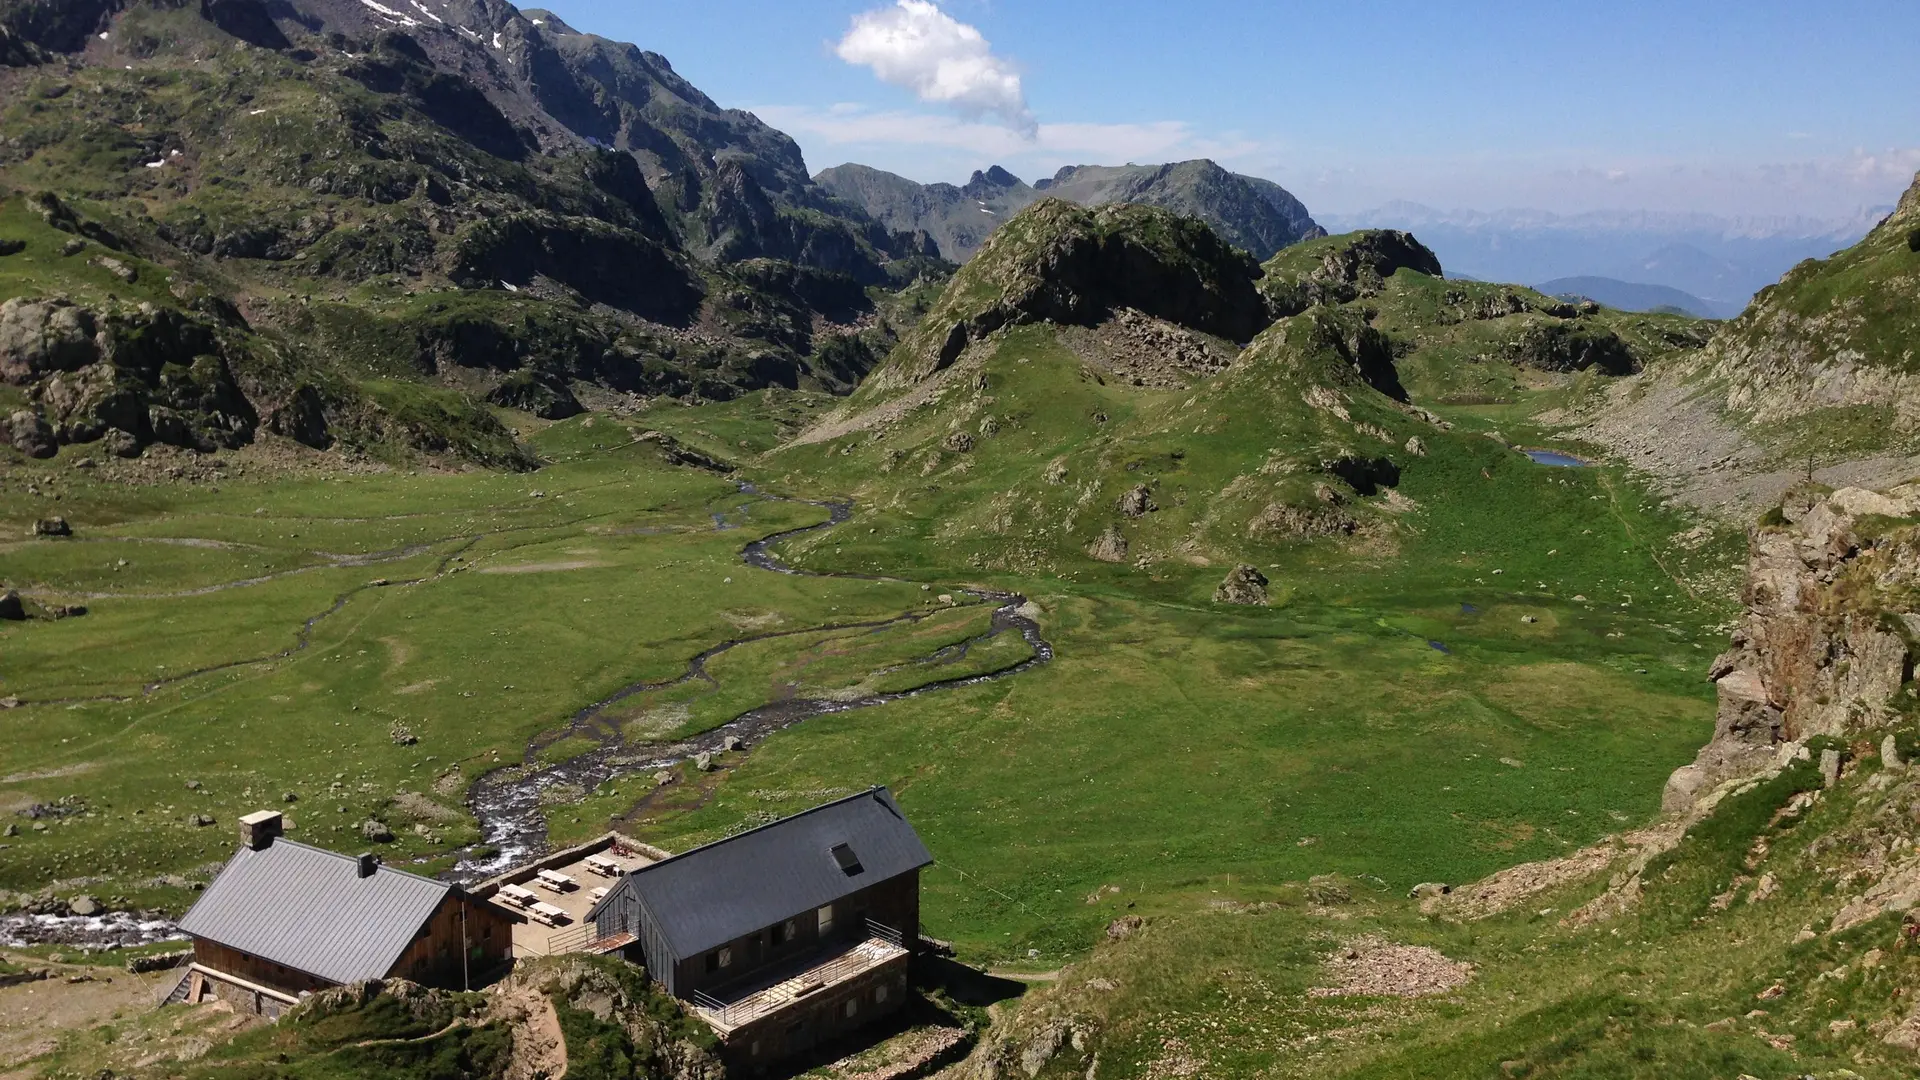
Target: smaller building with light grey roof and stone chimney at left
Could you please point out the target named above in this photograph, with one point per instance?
(285, 920)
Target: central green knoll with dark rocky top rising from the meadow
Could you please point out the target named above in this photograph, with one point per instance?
(1111, 385)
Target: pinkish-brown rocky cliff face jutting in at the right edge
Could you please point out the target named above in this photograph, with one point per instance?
(1825, 643)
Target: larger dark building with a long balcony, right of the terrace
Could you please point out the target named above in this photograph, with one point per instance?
(784, 935)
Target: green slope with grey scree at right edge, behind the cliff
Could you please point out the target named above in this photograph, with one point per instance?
(1817, 374)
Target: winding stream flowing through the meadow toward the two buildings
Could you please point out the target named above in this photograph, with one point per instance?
(508, 802)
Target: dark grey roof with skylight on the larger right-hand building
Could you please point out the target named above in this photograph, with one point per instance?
(746, 883)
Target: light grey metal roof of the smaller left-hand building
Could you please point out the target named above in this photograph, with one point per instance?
(310, 910)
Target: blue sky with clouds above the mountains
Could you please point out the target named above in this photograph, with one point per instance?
(1752, 109)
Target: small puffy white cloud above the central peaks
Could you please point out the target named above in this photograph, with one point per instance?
(940, 59)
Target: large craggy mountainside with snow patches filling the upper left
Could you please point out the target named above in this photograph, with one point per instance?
(218, 222)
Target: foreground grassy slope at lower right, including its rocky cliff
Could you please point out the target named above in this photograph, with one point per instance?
(1765, 927)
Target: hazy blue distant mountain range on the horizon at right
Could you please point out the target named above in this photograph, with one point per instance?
(1723, 260)
